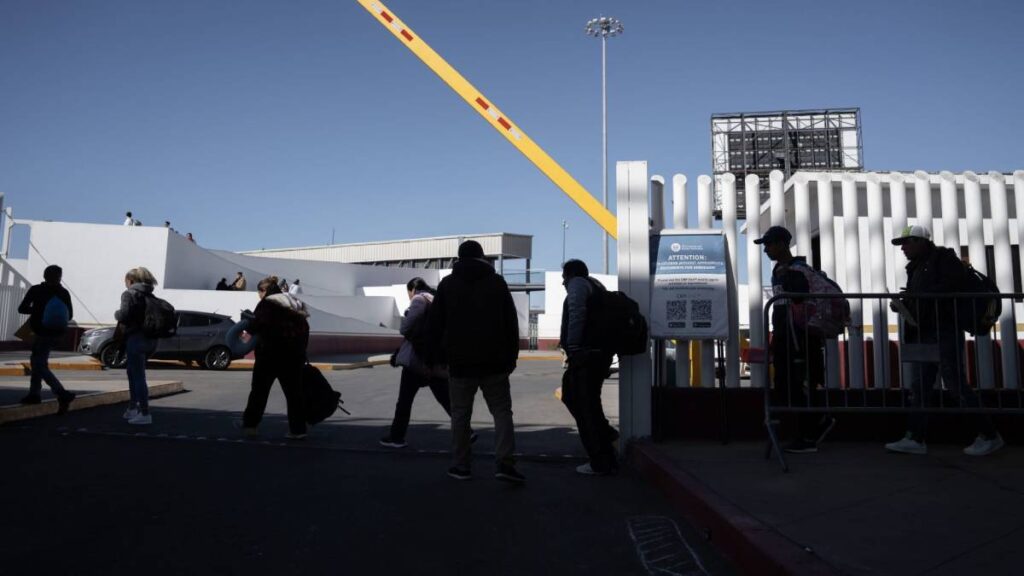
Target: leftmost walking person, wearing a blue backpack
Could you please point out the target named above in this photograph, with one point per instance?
(50, 310)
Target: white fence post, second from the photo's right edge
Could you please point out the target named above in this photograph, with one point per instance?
(1004, 275)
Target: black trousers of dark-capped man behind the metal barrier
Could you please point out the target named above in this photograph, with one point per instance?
(799, 362)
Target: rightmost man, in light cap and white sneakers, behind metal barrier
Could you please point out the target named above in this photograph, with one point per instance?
(934, 270)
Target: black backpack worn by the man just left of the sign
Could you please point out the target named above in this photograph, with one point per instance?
(615, 324)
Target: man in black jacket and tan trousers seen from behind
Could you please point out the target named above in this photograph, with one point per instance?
(476, 324)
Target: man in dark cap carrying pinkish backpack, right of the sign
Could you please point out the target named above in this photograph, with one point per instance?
(797, 356)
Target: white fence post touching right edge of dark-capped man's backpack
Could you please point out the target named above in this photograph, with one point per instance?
(851, 236)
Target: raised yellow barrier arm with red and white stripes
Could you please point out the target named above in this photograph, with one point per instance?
(491, 113)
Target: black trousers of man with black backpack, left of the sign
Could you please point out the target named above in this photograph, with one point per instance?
(582, 385)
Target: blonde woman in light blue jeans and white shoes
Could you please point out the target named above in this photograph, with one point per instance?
(139, 348)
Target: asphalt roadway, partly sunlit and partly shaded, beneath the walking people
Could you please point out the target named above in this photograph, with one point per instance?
(86, 493)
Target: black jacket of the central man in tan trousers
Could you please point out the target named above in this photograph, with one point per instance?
(476, 322)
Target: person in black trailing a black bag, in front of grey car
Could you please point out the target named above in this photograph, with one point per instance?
(281, 323)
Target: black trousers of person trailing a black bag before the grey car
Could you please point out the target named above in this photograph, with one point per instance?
(288, 369)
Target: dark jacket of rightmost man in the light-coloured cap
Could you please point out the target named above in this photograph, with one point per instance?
(937, 271)
